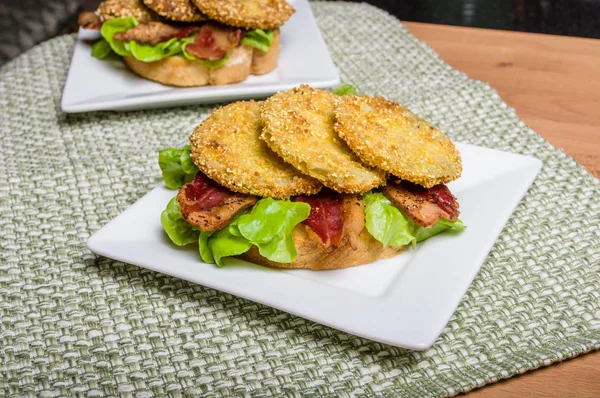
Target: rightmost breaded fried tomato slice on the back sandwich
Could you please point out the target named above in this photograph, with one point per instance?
(249, 14)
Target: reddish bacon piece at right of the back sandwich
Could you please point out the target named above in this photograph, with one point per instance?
(213, 41)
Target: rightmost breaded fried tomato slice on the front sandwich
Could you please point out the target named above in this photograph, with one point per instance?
(386, 135)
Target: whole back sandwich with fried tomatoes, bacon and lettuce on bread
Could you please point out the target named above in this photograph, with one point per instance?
(190, 42)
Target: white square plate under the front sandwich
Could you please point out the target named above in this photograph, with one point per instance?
(404, 301)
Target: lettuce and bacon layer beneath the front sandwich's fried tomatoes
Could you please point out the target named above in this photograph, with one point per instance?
(227, 223)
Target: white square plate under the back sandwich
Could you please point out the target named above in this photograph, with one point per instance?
(93, 84)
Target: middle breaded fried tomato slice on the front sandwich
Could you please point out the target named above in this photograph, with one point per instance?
(298, 125)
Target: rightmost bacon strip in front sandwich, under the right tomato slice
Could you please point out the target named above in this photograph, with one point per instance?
(424, 206)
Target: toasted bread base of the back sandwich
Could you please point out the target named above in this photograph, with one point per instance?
(181, 72)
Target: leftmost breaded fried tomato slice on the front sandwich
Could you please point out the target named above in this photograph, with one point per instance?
(226, 148)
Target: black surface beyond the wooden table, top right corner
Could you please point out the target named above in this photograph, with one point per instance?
(559, 17)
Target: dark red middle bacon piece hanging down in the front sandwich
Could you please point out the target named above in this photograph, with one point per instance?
(325, 218)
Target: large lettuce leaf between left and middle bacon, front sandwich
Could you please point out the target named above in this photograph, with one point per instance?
(268, 225)
